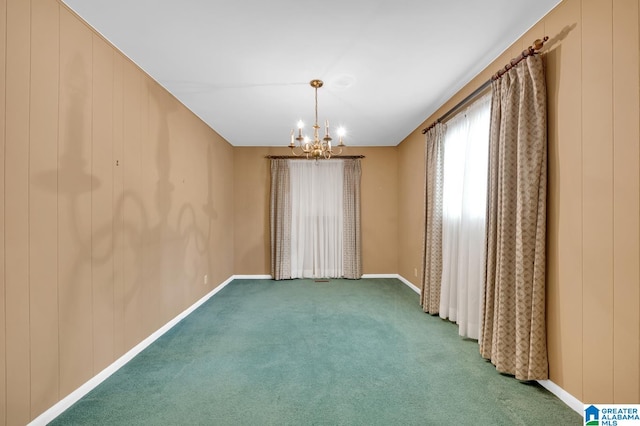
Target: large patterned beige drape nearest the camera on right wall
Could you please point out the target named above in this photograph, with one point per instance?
(513, 334)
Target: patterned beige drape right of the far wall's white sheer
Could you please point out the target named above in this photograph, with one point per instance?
(352, 241)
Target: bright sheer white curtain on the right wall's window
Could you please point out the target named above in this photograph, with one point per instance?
(464, 215)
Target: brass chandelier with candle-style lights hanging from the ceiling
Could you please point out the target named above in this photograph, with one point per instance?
(316, 148)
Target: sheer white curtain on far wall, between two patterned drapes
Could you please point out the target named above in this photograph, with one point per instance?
(317, 218)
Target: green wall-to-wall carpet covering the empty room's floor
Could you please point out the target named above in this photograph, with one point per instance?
(298, 352)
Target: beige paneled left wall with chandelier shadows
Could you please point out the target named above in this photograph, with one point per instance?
(116, 201)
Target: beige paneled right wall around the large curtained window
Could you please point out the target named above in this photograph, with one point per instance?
(593, 284)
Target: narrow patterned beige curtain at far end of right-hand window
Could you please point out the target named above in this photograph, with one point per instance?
(432, 240)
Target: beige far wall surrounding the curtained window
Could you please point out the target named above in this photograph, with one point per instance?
(378, 210)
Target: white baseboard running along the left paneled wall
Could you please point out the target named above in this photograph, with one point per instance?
(77, 394)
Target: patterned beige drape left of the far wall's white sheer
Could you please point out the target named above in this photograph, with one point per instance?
(280, 218)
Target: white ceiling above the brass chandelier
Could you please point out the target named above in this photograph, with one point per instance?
(244, 66)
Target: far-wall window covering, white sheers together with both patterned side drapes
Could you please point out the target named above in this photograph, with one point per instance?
(315, 219)
